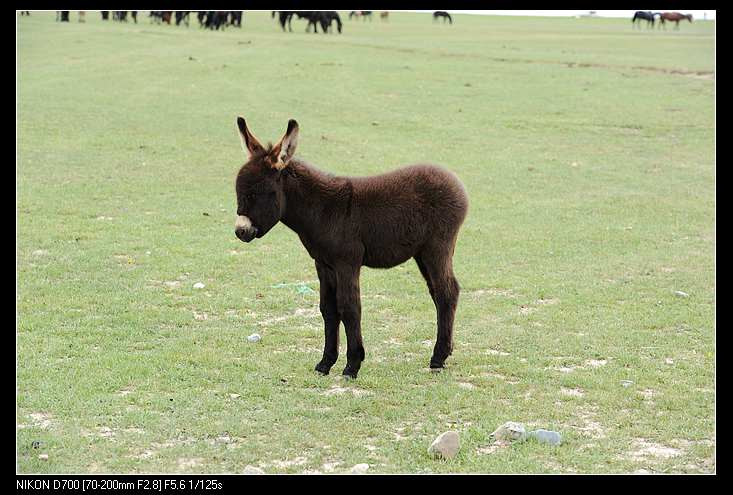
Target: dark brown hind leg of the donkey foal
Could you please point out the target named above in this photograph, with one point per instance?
(436, 265)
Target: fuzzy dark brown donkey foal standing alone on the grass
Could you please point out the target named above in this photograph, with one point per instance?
(349, 222)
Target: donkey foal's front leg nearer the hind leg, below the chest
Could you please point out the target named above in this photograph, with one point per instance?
(349, 307)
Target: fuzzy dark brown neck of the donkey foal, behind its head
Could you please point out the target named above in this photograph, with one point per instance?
(313, 198)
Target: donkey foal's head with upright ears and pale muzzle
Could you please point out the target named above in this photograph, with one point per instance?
(260, 195)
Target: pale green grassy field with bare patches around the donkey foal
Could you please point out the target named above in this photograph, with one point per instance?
(588, 152)
